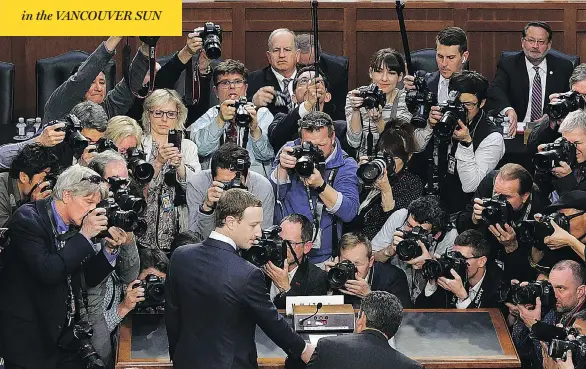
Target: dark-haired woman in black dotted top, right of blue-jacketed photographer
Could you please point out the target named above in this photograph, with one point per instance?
(392, 189)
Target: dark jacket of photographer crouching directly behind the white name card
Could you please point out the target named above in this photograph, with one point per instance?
(308, 280)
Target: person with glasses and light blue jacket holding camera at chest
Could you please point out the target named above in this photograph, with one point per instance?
(218, 124)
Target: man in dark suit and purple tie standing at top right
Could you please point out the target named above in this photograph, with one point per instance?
(512, 91)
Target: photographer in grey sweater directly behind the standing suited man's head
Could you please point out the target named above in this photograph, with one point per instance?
(229, 168)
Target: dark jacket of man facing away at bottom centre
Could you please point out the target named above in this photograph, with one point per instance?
(367, 349)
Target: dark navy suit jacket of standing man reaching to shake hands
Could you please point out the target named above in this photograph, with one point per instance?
(213, 303)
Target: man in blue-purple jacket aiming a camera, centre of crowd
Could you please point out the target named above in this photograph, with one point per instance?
(327, 196)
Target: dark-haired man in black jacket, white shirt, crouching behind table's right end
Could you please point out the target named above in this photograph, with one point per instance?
(478, 288)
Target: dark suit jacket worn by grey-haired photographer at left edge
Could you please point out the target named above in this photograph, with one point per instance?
(33, 286)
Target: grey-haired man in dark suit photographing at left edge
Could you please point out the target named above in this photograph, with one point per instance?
(41, 281)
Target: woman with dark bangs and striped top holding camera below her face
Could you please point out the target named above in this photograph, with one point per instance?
(365, 124)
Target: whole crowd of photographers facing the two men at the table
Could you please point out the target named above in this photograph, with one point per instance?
(405, 195)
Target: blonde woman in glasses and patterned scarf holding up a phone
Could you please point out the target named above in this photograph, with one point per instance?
(164, 110)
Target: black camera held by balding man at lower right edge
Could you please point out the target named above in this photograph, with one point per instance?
(524, 295)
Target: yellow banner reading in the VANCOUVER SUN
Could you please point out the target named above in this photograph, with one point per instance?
(90, 18)
